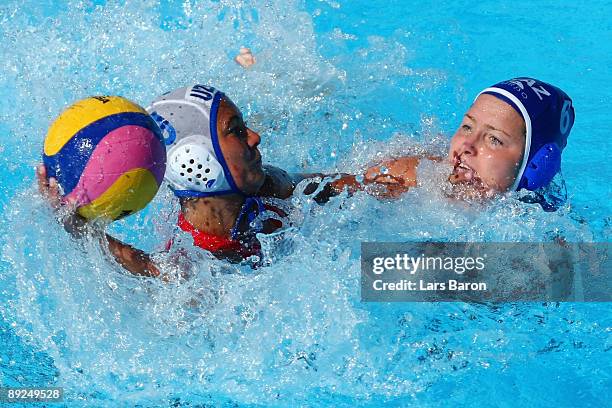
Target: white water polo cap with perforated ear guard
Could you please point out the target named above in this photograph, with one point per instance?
(188, 120)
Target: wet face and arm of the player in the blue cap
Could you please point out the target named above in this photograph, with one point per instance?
(485, 152)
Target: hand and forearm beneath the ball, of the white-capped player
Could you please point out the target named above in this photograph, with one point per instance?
(132, 259)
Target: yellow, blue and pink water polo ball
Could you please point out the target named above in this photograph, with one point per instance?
(108, 156)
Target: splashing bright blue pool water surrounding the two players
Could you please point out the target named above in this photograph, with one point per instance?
(338, 84)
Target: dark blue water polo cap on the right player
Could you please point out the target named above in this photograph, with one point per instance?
(549, 115)
